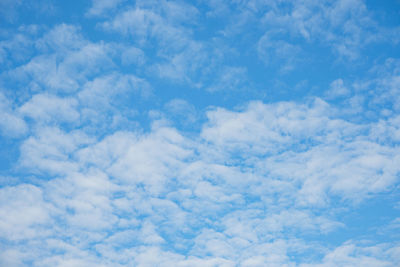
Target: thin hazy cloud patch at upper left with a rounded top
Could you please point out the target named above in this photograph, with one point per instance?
(66, 62)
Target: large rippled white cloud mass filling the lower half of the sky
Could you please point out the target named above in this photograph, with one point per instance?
(134, 192)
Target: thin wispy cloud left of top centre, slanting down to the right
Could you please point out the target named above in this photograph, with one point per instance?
(178, 55)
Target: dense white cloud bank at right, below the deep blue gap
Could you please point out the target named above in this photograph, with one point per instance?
(312, 159)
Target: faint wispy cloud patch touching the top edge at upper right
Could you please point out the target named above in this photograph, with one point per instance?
(343, 25)
